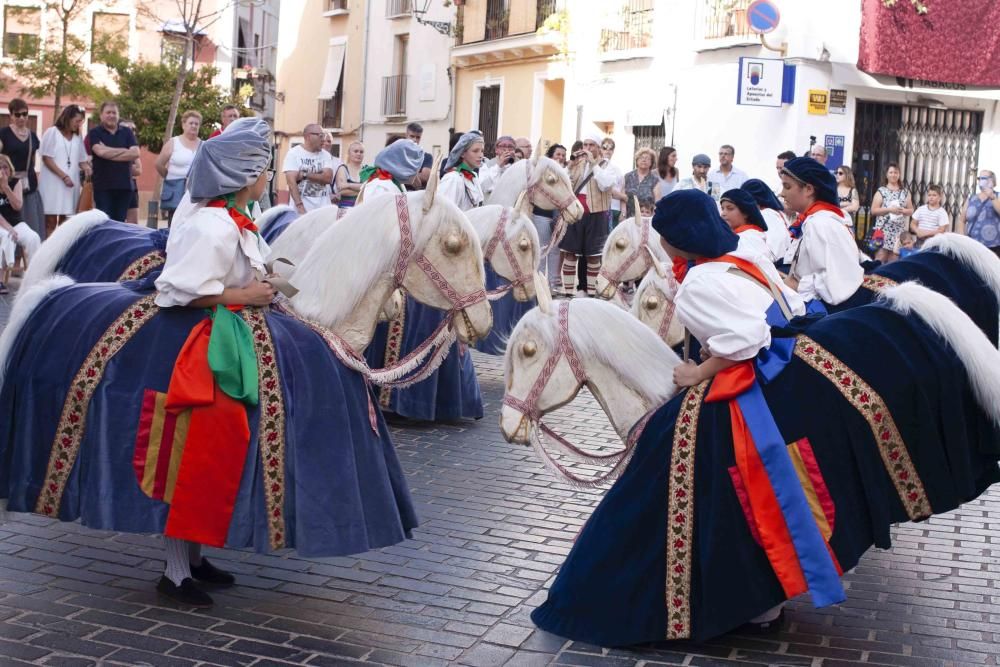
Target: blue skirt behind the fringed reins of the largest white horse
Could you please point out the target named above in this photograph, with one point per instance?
(450, 393)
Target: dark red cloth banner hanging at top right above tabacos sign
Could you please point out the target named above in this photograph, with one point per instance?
(955, 42)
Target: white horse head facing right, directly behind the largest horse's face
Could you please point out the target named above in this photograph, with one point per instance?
(510, 244)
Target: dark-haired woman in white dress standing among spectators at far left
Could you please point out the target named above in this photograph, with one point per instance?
(63, 158)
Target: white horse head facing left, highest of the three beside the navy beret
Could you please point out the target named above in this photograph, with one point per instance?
(631, 249)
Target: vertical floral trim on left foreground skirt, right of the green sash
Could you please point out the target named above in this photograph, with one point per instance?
(271, 432)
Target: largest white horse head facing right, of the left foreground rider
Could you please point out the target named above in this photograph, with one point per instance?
(416, 241)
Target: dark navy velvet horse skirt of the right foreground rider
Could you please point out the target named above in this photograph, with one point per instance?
(618, 586)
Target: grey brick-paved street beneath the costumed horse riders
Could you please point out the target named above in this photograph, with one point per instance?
(495, 527)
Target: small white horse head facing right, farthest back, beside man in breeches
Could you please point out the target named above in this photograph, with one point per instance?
(545, 183)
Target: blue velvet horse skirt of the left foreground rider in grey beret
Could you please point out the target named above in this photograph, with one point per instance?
(343, 489)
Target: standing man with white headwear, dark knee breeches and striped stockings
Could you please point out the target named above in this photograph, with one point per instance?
(593, 182)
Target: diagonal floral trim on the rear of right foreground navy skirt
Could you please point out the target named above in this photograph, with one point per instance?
(872, 407)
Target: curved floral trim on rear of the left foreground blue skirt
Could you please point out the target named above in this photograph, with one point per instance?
(73, 420)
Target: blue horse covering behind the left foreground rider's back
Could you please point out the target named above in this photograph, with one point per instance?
(108, 250)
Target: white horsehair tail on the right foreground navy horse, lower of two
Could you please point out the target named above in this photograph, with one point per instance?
(980, 359)
